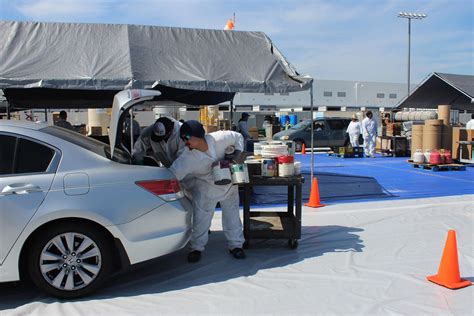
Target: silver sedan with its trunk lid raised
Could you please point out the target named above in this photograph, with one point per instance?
(72, 213)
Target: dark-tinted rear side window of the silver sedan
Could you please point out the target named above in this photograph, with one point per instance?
(32, 157)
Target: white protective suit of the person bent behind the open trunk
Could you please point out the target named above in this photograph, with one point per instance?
(164, 151)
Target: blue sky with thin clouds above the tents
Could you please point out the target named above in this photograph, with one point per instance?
(332, 40)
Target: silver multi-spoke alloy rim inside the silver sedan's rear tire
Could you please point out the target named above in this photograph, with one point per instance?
(70, 261)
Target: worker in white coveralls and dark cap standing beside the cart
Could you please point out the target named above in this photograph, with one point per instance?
(194, 166)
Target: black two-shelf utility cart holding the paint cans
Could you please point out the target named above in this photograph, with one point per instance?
(274, 225)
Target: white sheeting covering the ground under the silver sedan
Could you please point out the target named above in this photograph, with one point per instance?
(361, 258)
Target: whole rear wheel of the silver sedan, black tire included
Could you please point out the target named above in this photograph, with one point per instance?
(70, 273)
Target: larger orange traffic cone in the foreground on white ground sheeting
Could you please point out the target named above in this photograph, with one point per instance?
(448, 272)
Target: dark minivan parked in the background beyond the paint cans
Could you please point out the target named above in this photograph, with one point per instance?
(328, 132)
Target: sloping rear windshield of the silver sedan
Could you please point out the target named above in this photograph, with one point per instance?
(97, 147)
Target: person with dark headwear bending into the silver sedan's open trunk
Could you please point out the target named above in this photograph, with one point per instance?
(162, 138)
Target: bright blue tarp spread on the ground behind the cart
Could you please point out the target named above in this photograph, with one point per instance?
(364, 179)
